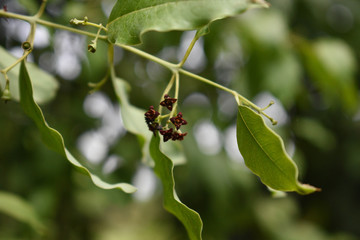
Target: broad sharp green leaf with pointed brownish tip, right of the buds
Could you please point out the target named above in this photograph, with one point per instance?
(264, 153)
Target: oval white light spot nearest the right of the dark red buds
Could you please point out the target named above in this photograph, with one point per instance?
(208, 138)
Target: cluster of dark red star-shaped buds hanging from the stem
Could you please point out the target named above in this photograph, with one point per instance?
(151, 118)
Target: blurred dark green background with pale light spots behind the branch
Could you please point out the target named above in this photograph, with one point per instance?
(302, 54)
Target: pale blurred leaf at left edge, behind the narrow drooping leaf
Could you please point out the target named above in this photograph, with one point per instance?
(45, 85)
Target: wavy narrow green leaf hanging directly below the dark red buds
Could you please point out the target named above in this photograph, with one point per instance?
(164, 170)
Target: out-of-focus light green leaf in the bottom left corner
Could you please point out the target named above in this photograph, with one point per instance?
(21, 210)
